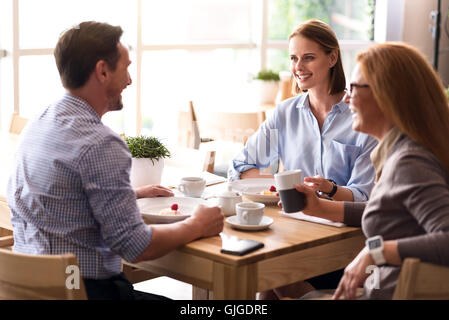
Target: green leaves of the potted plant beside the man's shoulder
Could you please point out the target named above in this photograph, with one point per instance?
(147, 147)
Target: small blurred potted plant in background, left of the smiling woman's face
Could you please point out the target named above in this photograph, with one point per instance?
(267, 86)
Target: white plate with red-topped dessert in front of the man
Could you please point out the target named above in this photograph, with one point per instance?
(150, 208)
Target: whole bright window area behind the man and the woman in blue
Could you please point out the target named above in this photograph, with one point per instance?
(200, 50)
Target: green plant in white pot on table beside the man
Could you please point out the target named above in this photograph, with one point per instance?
(148, 155)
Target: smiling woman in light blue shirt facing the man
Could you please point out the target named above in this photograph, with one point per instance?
(313, 131)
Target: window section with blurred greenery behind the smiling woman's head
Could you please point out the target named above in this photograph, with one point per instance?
(352, 21)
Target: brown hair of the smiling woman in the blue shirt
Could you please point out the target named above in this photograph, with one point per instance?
(322, 34)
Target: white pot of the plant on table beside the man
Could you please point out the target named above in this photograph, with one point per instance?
(144, 172)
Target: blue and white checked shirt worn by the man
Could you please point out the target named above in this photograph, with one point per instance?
(70, 191)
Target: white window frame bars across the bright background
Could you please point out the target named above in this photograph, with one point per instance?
(384, 23)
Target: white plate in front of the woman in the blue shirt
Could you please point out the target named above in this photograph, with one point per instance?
(251, 189)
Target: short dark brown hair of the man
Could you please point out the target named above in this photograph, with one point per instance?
(81, 47)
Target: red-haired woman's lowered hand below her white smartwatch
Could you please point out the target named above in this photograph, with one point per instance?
(354, 276)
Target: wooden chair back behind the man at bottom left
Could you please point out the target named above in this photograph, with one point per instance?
(43, 277)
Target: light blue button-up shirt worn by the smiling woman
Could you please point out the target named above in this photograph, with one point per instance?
(292, 133)
